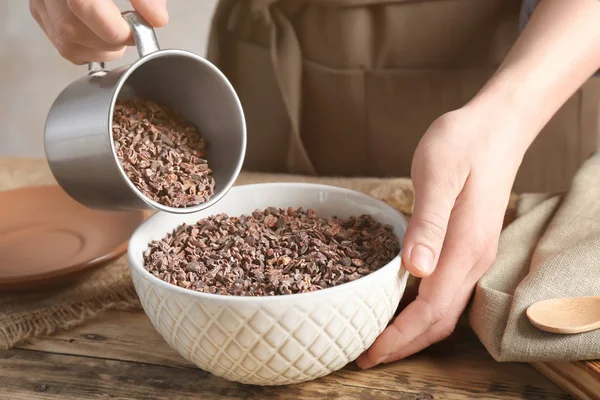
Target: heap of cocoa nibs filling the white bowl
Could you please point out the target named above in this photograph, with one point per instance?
(271, 252)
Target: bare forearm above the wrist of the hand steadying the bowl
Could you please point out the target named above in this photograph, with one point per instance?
(557, 52)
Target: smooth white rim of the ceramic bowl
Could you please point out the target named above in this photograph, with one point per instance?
(329, 291)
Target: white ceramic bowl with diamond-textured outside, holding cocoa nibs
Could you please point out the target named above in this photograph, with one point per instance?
(280, 339)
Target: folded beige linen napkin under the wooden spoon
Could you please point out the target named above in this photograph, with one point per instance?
(552, 250)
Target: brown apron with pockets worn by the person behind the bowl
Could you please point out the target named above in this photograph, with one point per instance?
(348, 87)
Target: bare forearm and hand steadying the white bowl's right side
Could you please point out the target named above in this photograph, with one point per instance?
(465, 165)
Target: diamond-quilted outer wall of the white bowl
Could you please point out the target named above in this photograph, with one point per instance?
(272, 340)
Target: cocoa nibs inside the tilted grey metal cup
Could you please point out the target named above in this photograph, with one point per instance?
(161, 153)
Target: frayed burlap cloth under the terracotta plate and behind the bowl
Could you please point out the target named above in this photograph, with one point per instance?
(110, 286)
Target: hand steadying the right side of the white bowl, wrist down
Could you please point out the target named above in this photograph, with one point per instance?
(463, 171)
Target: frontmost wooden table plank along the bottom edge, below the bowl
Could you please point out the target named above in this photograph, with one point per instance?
(35, 375)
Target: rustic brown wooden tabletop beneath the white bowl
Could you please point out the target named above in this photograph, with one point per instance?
(120, 356)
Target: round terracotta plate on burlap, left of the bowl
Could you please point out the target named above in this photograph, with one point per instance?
(46, 236)
